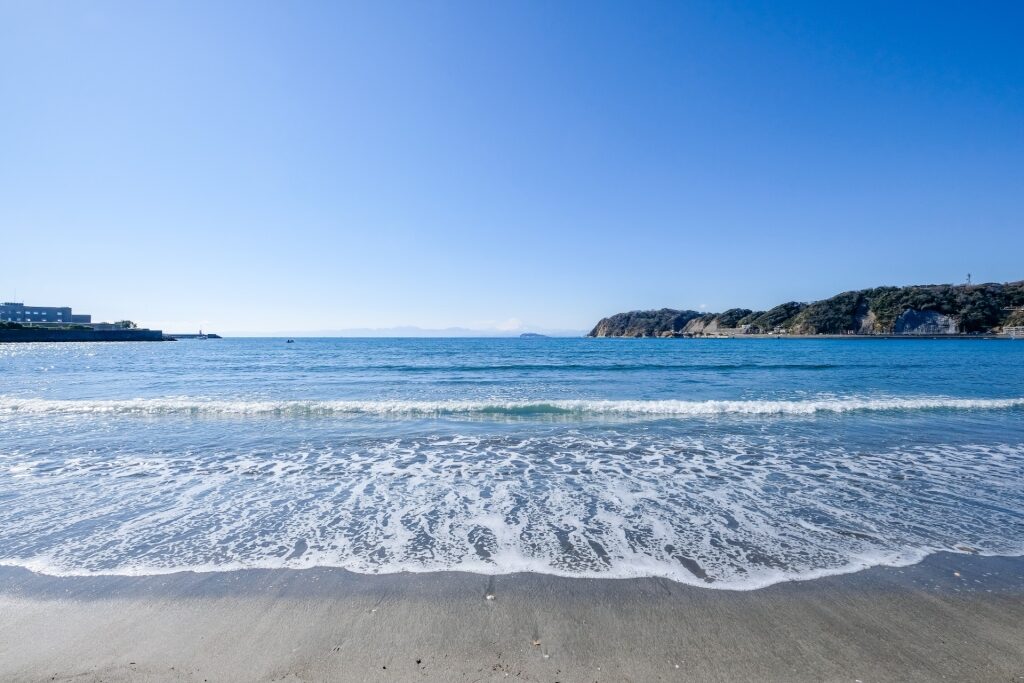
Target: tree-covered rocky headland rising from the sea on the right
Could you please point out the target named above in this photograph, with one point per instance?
(924, 310)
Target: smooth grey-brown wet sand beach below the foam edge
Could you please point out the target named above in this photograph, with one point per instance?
(951, 618)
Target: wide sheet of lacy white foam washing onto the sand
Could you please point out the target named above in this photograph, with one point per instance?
(711, 509)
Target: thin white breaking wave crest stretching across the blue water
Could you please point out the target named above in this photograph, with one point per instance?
(679, 409)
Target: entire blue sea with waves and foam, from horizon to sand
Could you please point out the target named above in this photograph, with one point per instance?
(721, 463)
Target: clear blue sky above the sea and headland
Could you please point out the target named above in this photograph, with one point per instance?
(313, 166)
